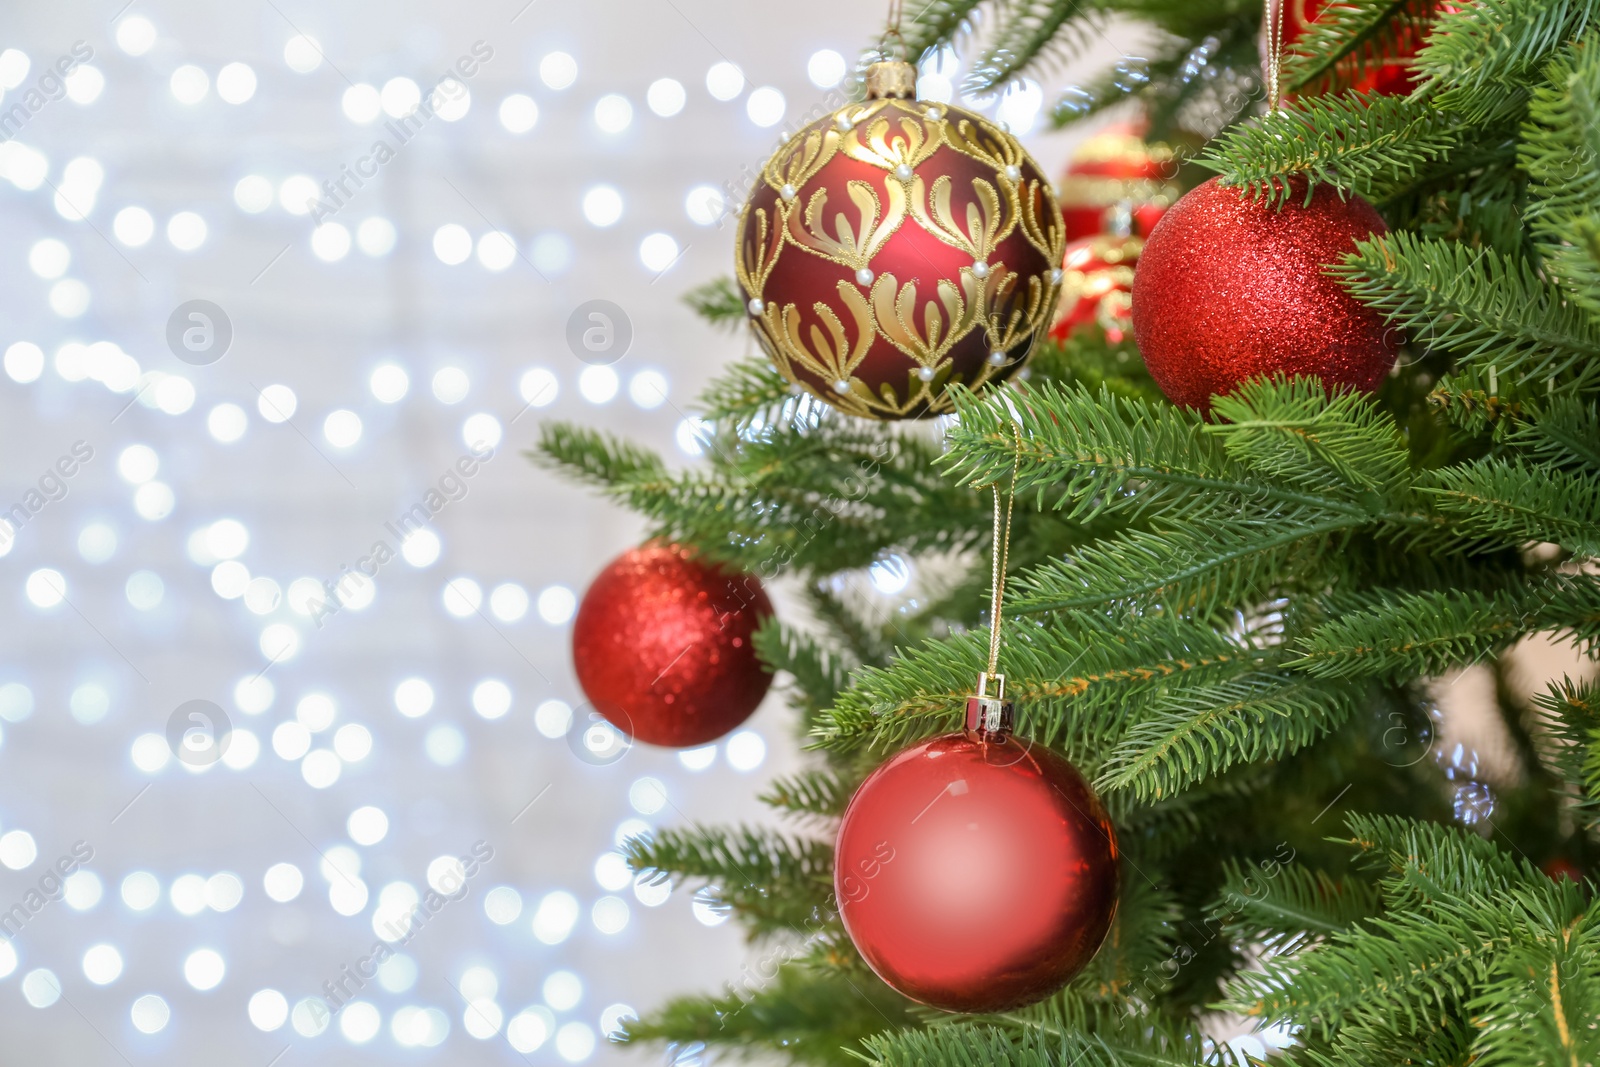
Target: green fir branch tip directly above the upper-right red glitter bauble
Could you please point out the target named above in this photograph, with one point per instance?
(1354, 142)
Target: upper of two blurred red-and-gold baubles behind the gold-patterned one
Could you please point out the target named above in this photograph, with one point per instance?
(1113, 169)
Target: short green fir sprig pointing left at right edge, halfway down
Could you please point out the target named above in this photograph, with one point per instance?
(1516, 505)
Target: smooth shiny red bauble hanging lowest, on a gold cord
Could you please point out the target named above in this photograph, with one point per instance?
(977, 874)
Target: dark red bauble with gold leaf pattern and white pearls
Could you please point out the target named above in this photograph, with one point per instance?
(900, 247)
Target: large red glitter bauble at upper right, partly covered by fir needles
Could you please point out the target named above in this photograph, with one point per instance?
(1231, 289)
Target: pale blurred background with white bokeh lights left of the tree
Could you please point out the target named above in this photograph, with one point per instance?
(249, 719)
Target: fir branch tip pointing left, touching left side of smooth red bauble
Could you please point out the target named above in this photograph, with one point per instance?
(778, 885)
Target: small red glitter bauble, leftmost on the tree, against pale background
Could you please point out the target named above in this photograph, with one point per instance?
(663, 649)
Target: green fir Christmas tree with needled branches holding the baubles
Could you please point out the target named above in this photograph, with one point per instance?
(1226, 621)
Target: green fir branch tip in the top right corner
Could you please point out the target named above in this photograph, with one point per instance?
(1482, 57)
